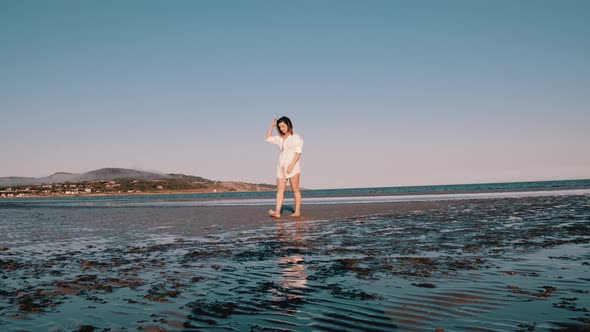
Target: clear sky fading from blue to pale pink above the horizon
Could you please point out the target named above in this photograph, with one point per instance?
(384, 93)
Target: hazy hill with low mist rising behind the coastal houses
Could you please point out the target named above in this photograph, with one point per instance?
(99, 174)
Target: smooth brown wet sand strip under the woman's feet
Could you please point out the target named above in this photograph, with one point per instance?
(212, 220)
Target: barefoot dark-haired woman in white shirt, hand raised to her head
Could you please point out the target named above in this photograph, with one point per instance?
(290, 145)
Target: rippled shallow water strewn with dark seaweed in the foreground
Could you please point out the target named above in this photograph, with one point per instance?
(518, 264)
